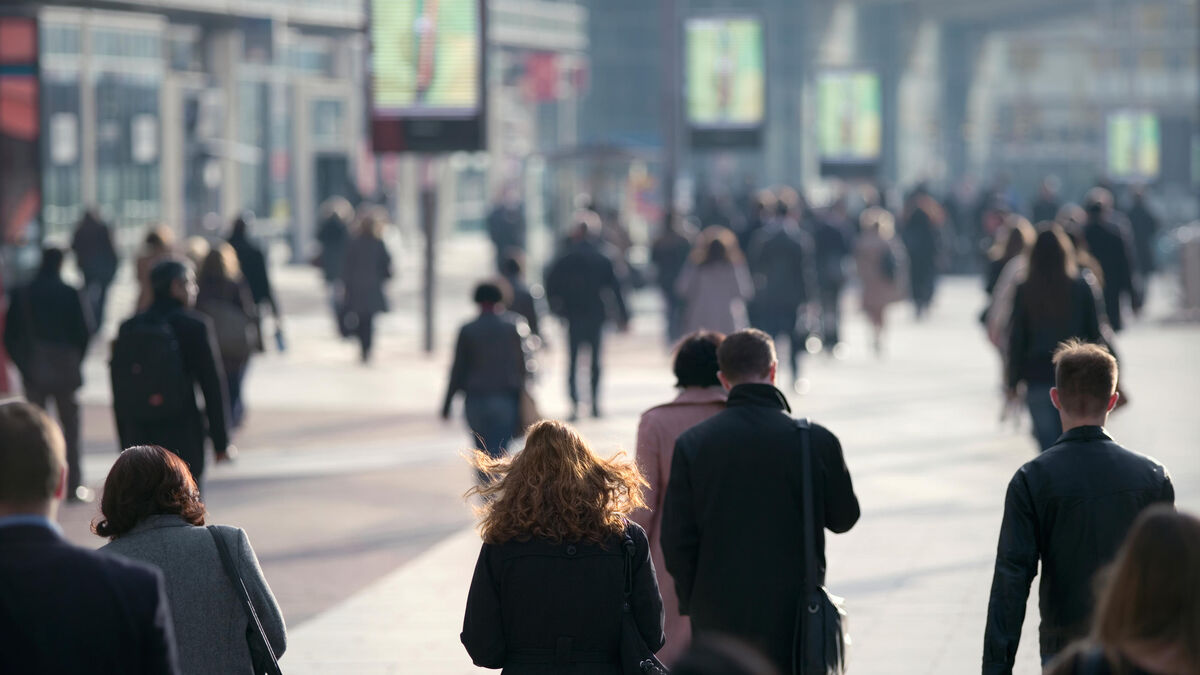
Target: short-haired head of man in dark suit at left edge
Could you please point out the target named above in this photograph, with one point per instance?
(33, 461)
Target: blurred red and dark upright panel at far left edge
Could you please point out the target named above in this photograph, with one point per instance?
(21, 174)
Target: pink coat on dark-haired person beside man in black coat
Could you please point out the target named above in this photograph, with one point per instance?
(657, 435)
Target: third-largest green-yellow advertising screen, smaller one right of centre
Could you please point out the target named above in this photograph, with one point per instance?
(850, 121)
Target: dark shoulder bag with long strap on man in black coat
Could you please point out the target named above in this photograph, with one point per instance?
(821, 637)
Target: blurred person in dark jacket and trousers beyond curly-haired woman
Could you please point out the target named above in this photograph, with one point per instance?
(584, 289)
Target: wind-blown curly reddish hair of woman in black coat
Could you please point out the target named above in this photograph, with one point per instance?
(556, 489)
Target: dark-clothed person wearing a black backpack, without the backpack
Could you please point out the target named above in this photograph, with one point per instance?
(175, 295)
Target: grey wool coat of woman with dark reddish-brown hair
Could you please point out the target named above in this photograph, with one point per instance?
(211, 623)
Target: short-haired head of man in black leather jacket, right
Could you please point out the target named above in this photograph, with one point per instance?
(1085, 381)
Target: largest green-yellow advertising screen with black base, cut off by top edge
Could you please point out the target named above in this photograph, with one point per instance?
(427, 75)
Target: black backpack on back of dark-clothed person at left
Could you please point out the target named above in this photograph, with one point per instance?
(151, 383)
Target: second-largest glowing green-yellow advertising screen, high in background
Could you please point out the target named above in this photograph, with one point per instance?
(725, 75)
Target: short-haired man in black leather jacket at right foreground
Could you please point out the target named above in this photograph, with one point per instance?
(1069, 510)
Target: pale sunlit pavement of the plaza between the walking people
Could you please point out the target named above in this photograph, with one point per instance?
(351, 487)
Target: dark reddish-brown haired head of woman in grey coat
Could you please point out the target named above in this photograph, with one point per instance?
(147, 481)
